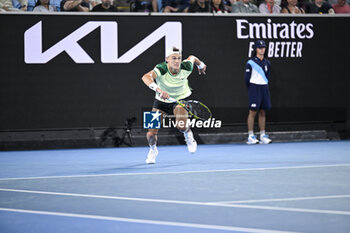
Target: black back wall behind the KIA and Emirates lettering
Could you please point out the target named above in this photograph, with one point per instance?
(64, 94)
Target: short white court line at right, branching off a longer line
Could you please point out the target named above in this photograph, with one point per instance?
(283, 199)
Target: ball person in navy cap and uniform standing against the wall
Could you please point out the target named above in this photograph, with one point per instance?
(257, 77)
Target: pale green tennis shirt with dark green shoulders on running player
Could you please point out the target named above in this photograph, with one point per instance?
(175, 85)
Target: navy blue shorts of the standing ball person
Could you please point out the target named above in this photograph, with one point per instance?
(259, 97)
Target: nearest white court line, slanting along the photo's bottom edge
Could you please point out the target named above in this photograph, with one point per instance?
(144, 221)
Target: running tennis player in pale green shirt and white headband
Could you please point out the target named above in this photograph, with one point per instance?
(169, 79)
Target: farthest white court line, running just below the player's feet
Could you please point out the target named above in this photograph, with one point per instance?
(180, 172)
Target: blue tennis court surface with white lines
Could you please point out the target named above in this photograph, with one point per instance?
(281, 187)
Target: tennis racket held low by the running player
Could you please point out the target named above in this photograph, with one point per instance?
(195, 108)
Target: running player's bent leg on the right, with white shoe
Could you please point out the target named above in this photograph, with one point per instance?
(181, 120)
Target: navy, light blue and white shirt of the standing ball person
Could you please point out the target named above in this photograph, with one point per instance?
(257, 71)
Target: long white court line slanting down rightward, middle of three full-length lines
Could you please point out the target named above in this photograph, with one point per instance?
(302, 210)
